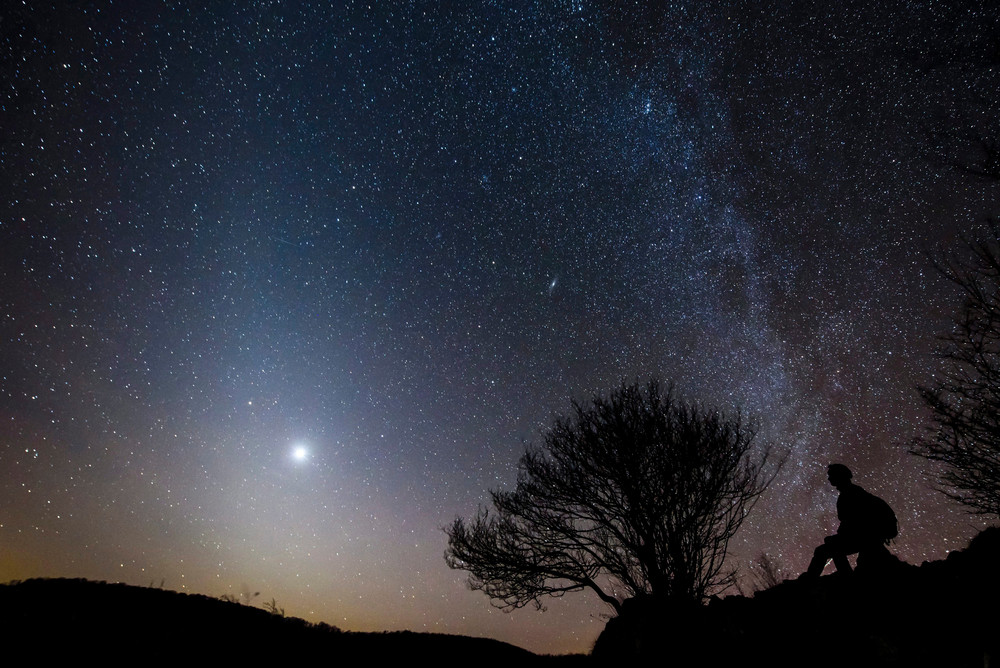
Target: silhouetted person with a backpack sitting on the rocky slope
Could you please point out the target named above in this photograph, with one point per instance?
(867, 523)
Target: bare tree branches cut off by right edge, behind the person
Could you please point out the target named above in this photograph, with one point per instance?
(965, 399)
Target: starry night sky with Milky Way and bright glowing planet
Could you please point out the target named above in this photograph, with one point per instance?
(287, 286)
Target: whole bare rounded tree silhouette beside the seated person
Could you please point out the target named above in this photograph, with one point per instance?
(636, 493)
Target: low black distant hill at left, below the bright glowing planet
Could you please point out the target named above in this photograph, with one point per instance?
(77, 619)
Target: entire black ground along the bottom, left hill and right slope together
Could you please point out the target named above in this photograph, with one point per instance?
(943, 613)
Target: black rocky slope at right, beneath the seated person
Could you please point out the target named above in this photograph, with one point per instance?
(943, 613)
